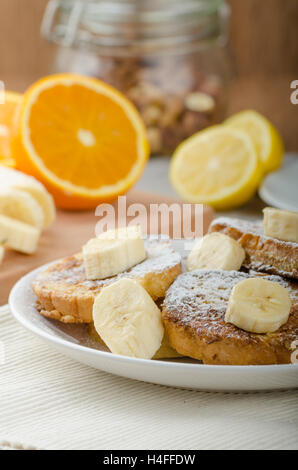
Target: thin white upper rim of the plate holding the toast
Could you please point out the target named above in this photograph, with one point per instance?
(161, 364)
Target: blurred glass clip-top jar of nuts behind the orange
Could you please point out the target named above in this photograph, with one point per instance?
(168, 56)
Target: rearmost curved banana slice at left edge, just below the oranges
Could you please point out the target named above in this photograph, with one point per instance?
(16, 179)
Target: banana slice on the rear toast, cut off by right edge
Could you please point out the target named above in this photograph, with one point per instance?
(280, 224)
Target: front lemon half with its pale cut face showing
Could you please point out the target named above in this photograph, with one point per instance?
(218, 166)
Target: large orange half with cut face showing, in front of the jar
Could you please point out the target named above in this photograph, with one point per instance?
(82, 138)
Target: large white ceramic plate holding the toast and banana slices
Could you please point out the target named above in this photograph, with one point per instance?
(74, 341)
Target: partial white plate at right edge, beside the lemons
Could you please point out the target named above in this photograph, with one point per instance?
(280, 189)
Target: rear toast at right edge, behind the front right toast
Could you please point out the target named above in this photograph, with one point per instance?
(264, 254)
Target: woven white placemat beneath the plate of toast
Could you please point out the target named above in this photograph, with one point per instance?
(48, 401)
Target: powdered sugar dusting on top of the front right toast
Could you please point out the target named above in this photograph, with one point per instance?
(199, 300)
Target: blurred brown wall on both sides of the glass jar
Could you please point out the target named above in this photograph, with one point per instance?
(263, 42)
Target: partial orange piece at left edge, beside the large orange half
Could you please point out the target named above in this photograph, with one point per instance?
(8, 109)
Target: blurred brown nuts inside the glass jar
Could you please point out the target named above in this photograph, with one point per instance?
(175, 98)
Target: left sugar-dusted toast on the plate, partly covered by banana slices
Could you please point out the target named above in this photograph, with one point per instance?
(64, 294)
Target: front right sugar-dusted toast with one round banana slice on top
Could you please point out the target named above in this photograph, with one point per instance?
(193, 314)
